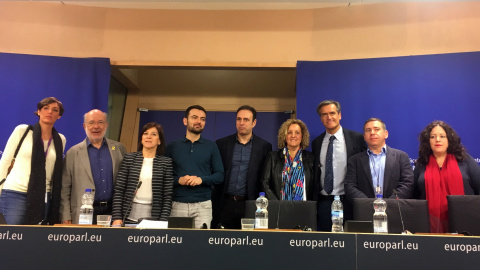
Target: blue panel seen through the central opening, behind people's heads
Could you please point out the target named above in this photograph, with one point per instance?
(218, 125)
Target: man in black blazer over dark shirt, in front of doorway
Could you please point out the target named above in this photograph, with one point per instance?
(243, 155)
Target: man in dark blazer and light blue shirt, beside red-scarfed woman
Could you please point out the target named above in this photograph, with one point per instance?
(380, 169)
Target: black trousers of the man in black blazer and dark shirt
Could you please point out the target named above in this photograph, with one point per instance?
(232, 213)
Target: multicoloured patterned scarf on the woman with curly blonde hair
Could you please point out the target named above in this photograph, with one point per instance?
(293, 177)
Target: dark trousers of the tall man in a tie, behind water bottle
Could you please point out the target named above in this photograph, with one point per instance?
(324, 212)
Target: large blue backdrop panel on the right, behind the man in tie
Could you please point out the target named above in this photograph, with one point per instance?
(407, 93)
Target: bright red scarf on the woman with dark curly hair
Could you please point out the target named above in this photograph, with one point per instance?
(438, 184)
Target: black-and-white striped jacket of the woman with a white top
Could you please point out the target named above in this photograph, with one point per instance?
(127, 181)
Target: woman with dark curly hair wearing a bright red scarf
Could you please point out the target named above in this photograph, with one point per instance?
(443, 168)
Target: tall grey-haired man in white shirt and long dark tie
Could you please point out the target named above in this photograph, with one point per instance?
(331, 150)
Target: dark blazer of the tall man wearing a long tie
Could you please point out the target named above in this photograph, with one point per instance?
(354, 144)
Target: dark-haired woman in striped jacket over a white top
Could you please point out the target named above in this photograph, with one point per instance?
(154, 197)
